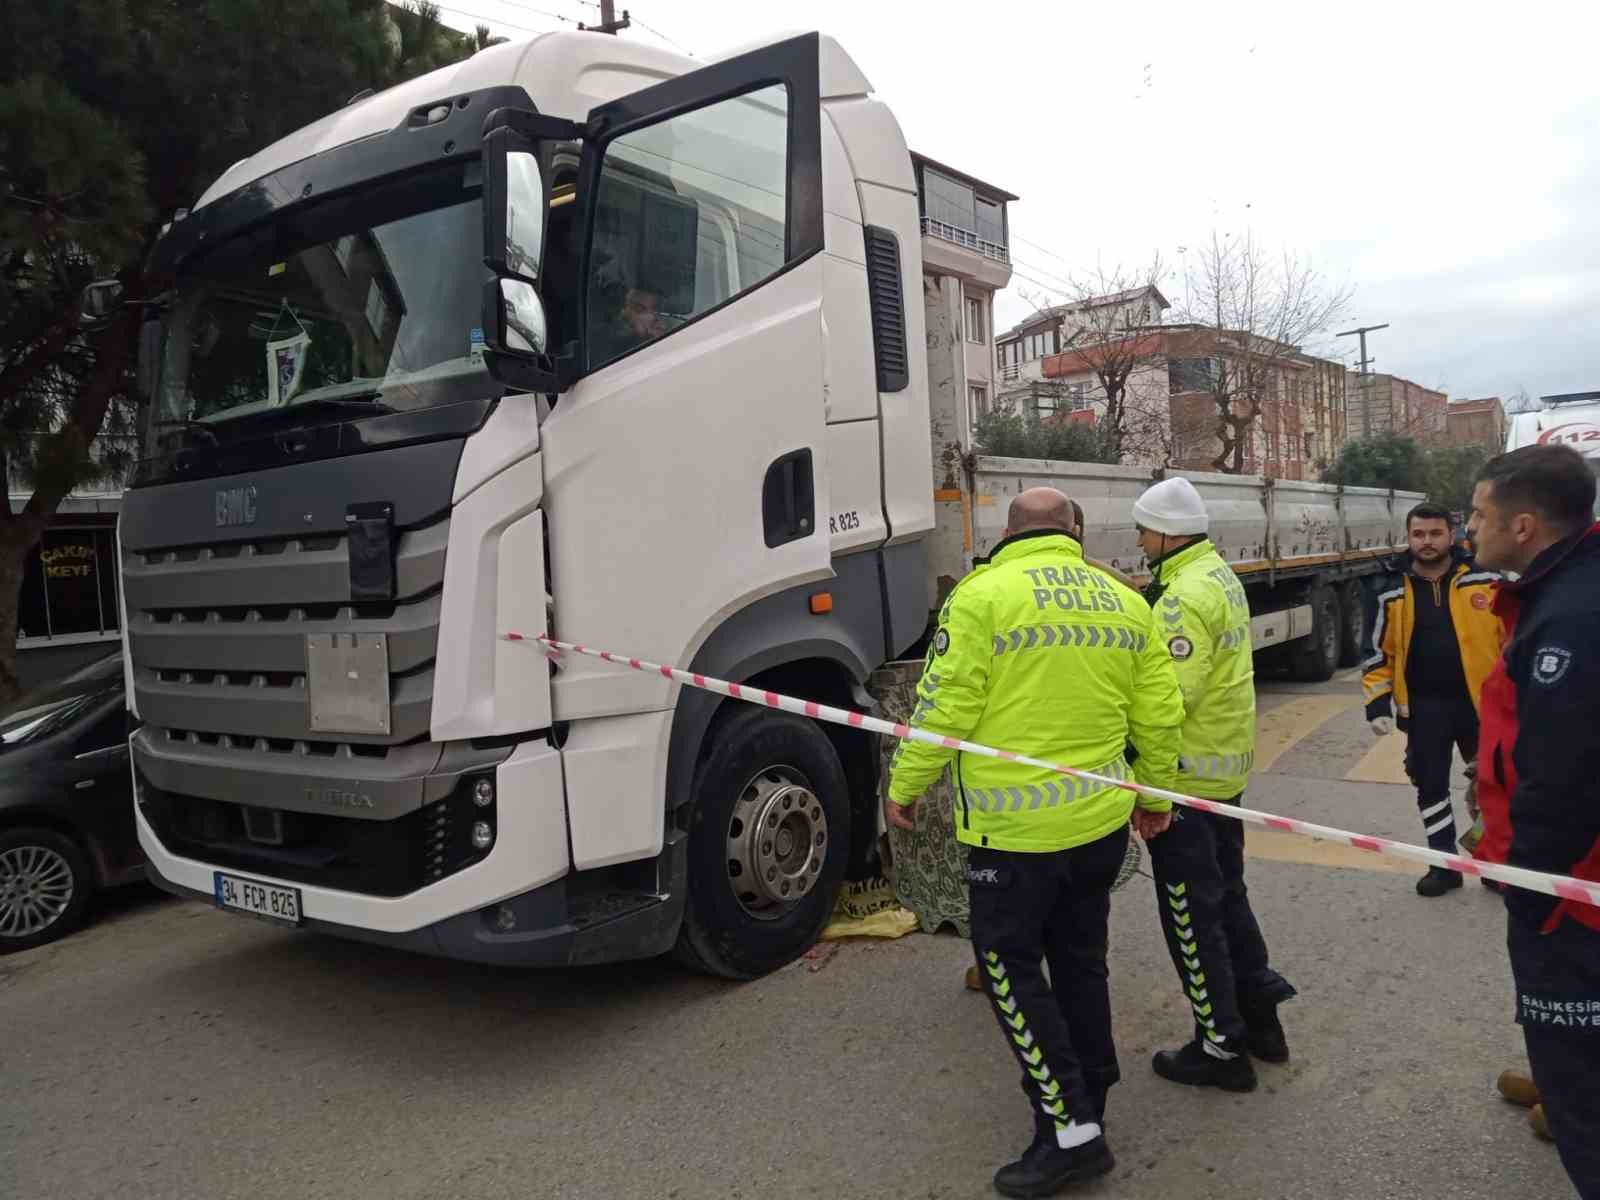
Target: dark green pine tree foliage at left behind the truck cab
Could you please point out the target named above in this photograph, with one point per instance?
(113, 114)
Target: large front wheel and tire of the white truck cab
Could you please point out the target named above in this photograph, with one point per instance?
(769, 844)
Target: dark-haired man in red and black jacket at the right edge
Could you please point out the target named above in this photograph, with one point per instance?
(1540, 770)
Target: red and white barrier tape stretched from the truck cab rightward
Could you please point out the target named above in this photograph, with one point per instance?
(1566, 887)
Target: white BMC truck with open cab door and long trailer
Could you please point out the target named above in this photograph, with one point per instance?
(590, 338)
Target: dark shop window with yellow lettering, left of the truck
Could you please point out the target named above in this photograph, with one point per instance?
(70, 586)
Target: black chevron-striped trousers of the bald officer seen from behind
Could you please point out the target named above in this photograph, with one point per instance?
(1036, 908)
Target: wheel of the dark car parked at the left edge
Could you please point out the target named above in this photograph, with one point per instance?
(46, 887)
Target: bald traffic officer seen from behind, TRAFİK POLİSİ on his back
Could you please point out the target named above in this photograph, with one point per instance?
(1047, 657)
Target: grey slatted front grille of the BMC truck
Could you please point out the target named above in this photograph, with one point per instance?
(218, 636)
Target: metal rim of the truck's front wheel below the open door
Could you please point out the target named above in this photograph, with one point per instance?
(777, 842)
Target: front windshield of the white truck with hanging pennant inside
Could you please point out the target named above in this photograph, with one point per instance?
(369, 302)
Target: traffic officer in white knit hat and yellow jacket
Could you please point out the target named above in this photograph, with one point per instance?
(1199, 863)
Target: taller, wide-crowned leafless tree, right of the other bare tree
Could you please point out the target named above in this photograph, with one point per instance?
(1249, 316)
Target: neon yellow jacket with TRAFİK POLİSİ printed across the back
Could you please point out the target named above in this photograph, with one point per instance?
(1044, 655)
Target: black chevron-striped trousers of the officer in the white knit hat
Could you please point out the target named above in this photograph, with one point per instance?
(1212, 932)
